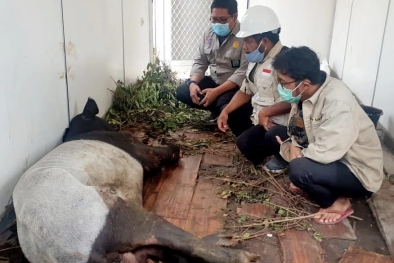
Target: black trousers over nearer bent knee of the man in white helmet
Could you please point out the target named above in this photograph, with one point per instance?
(256, 143)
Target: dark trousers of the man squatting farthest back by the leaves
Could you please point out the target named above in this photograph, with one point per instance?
(183, 95)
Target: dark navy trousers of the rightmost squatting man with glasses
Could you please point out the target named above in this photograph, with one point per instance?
(325, 182)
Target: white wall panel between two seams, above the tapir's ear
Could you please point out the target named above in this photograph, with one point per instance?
(94, 49)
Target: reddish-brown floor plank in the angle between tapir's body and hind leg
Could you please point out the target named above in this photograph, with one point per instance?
(173, 200)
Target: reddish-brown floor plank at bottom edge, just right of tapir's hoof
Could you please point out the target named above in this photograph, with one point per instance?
(300, 247)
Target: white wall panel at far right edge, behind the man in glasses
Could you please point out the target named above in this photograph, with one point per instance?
(384, 94)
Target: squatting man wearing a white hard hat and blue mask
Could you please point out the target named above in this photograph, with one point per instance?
(258, 99)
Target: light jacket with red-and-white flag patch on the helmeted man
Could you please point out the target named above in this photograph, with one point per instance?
(265, 86)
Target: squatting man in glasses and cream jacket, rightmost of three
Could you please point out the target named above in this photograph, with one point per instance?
(334, 152)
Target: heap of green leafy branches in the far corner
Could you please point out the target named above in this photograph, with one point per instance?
(151, 102)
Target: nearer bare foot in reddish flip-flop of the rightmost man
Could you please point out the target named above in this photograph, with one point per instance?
(338, 211)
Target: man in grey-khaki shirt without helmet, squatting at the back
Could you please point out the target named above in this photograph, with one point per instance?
(222, 51)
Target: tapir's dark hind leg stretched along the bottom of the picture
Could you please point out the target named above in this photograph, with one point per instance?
(130, 228)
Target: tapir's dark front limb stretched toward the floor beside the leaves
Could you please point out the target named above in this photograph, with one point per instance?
(151, 158)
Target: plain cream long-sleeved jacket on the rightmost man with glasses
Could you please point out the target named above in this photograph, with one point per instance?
(338, 129)
